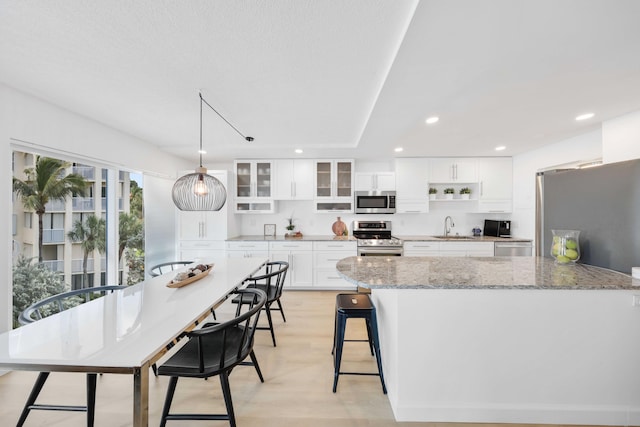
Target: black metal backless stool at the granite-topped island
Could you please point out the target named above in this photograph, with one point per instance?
(359, 306)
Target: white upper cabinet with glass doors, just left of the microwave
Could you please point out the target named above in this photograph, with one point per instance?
(333, 186)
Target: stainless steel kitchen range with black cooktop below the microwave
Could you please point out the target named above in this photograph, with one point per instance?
(375, 239)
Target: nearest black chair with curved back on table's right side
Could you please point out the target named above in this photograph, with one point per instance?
(214, 350)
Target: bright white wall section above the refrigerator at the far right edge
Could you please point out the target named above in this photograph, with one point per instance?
(621, 138)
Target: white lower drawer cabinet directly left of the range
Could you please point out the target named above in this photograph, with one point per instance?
(326, 255)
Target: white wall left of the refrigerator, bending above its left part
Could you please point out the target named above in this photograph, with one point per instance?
(525, 166)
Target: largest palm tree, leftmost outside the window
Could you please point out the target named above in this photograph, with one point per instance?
(46, 182)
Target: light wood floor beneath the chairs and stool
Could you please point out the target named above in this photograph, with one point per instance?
(296, 392)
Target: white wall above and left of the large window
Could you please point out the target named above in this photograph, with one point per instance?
(28, 122)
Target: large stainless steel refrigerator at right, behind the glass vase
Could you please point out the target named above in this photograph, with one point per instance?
(602, 202)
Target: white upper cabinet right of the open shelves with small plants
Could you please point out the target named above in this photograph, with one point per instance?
(495, 184)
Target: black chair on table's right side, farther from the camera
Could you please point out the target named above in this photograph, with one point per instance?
(272, 283)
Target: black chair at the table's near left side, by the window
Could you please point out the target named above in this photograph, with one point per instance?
(47, 307)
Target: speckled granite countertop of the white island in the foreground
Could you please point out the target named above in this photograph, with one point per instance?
(478, 273)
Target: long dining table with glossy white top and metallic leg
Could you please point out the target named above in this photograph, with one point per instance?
(124, 332)
